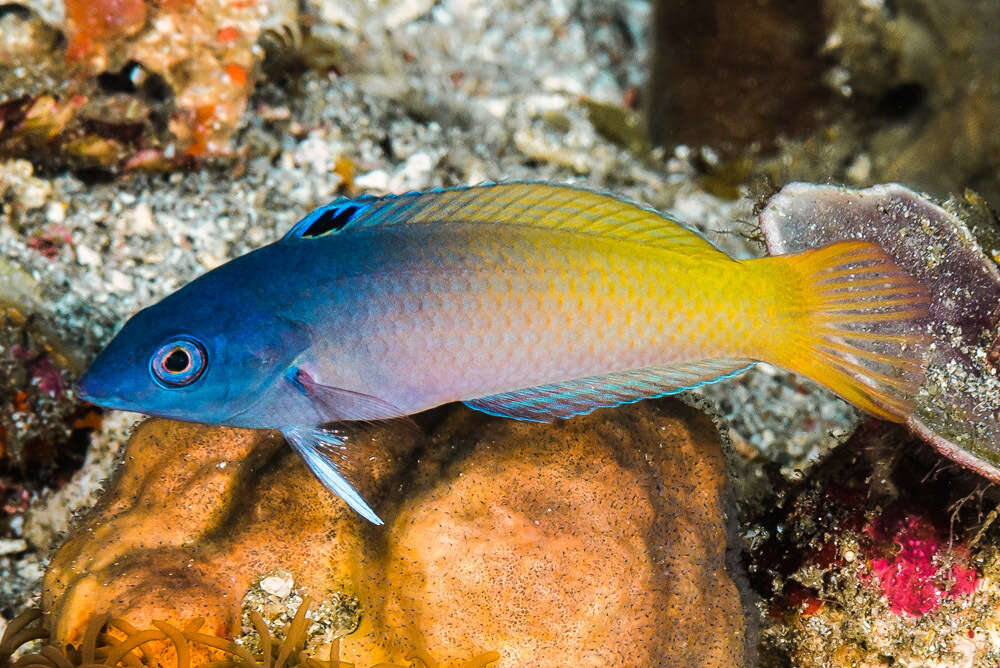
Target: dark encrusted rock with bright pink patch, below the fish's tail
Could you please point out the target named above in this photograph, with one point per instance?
(873, 561)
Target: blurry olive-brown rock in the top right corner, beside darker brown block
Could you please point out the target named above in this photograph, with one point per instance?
(938, 118)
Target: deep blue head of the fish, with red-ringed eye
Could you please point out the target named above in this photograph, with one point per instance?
(185, 358)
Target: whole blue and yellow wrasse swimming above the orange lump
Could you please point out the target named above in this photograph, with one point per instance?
(524, 300)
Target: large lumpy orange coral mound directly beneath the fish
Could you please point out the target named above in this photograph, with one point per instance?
(596, 540)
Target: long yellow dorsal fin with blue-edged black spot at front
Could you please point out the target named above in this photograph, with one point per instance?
(551, 206)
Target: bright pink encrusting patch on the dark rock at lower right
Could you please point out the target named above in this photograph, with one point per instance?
(912, 580)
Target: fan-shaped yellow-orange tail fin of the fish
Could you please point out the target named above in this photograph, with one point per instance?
(854, 325)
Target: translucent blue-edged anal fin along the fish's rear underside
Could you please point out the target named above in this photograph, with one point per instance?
(583, 395)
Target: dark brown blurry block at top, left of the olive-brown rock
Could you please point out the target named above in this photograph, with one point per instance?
(734, 74)
